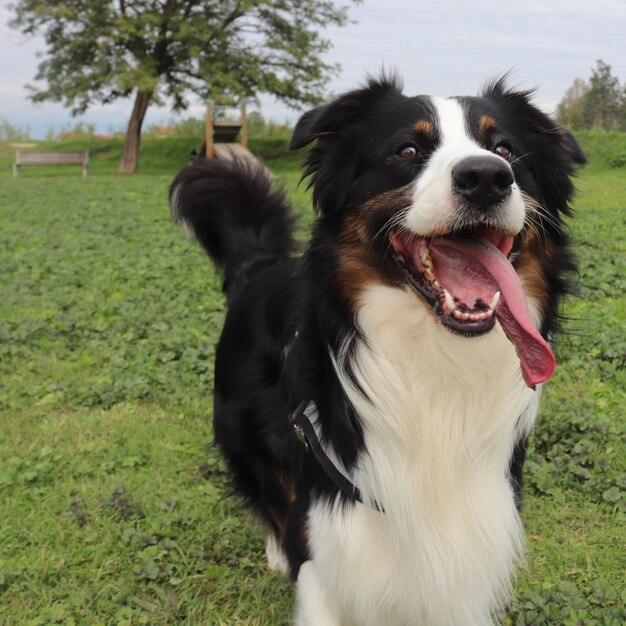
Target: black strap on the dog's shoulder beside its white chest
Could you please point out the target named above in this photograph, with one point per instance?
(301, 421)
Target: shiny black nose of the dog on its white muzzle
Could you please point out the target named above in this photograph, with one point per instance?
(482, 180)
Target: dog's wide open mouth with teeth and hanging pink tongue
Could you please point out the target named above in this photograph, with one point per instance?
(470, 283)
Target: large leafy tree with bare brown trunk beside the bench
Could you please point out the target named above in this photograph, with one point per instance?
(161, 50)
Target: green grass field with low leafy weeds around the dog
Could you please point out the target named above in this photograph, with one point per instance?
(115, 507)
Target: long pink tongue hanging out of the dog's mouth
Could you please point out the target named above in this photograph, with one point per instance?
(479, 264)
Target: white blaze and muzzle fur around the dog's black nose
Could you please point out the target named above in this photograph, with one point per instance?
(434, 207)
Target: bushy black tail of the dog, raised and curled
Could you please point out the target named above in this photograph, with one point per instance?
(232, 210)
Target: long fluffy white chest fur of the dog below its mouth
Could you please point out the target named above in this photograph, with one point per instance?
(441, 417)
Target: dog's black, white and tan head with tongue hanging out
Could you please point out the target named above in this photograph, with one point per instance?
(460, 199)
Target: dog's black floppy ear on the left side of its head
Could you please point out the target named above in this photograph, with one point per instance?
(331, 163)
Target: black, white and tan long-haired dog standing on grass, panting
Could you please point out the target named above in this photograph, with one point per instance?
(374, 396)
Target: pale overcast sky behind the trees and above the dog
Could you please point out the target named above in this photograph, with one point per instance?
(440, 47)
